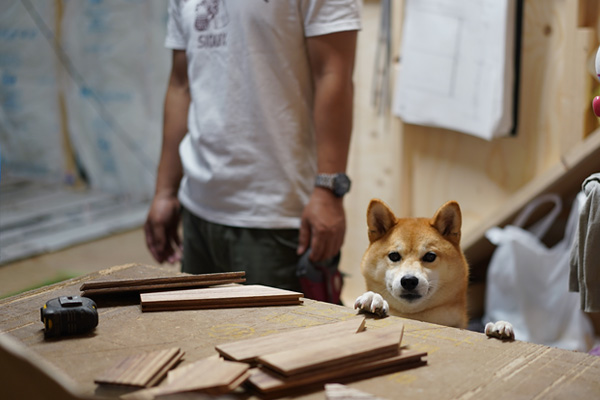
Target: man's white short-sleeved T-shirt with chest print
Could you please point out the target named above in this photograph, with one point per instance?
(249, 156)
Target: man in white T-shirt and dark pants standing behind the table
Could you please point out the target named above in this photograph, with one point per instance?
(257, 124)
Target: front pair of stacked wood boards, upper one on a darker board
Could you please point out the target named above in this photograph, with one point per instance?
(345, 358)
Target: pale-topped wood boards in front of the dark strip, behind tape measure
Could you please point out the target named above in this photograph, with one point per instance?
(219, 297)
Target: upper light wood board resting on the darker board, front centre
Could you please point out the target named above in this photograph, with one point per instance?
(364, 346)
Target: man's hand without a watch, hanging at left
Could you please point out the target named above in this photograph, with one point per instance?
(162, 236)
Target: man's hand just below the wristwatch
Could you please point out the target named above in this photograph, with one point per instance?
(323, 226)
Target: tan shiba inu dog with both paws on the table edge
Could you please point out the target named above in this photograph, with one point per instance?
(415, 268)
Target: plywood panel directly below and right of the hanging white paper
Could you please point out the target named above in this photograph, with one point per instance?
(554, 99)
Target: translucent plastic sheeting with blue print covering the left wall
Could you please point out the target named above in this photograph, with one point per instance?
(106, 63)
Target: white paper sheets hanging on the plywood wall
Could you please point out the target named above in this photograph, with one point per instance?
(457, 67)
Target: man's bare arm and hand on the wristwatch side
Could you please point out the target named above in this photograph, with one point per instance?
(332, 65)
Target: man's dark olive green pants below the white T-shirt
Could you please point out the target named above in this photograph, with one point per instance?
(268, 256)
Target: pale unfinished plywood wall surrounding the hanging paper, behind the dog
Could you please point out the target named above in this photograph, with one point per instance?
(416, 169)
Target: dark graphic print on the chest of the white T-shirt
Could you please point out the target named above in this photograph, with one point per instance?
(211, 17)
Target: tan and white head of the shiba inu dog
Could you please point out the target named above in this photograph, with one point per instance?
(415, 263)
